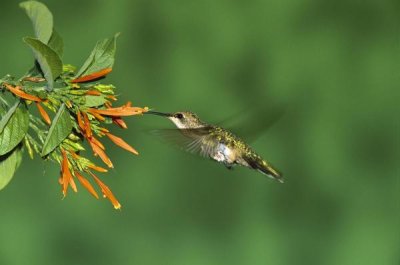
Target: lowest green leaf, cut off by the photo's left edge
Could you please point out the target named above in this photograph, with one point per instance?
(9, 163)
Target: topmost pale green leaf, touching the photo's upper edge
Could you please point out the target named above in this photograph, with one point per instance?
(41, 18)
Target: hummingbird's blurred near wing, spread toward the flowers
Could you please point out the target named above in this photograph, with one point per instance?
(195, 141)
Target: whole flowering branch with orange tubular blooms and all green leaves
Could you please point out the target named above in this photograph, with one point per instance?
(82, 104)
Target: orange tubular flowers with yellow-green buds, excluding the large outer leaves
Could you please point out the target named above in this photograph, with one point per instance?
(89, 106)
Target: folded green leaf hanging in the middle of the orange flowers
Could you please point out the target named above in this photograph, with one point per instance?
(61, 127)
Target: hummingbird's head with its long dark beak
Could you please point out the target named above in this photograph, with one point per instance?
(182, 119)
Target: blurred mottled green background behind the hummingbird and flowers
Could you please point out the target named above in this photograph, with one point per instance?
(332, 67)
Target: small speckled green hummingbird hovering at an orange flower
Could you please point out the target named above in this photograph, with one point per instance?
(213, 142)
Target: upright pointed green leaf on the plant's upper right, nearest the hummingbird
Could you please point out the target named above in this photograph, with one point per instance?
(102, 56)
